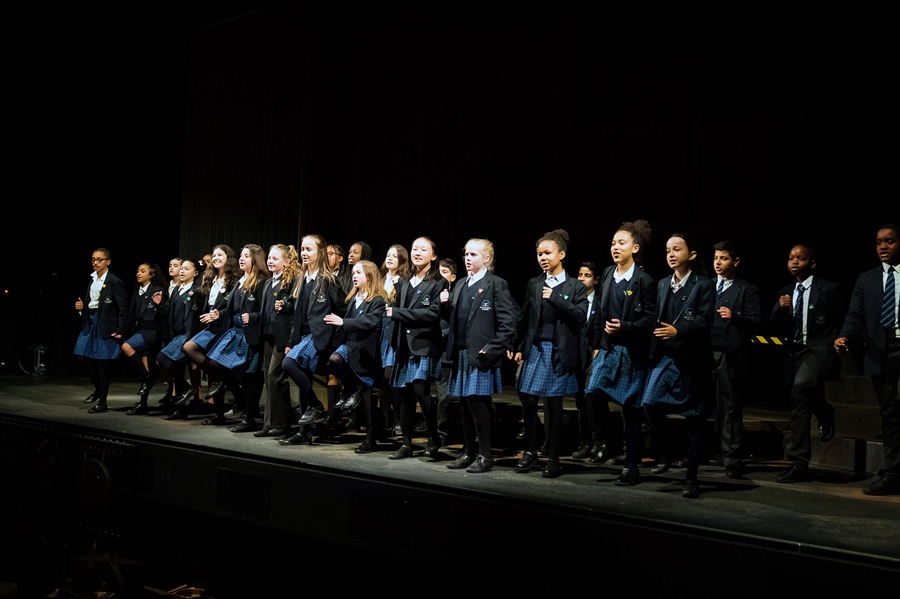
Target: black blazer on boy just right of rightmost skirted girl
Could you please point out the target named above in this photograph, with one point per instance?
(733, 337)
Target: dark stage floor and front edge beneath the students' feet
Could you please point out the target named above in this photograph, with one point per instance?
(153, 503)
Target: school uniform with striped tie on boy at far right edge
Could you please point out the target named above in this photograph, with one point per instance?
(870, 321)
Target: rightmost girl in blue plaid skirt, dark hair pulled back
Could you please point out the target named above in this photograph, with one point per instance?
(680, 377)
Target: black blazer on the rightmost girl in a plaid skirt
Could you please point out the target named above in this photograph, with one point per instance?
(691, 349)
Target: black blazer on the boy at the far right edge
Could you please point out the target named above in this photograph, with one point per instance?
(863, 321)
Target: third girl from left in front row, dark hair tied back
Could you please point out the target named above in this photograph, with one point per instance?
(182, 315)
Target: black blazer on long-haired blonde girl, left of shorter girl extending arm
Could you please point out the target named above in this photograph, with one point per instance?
(327, 298)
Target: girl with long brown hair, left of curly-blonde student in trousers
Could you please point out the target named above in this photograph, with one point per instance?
(235, 358)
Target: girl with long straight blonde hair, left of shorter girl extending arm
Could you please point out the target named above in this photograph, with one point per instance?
(313, 340)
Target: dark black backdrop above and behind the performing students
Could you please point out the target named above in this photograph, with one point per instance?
(158, 131)
